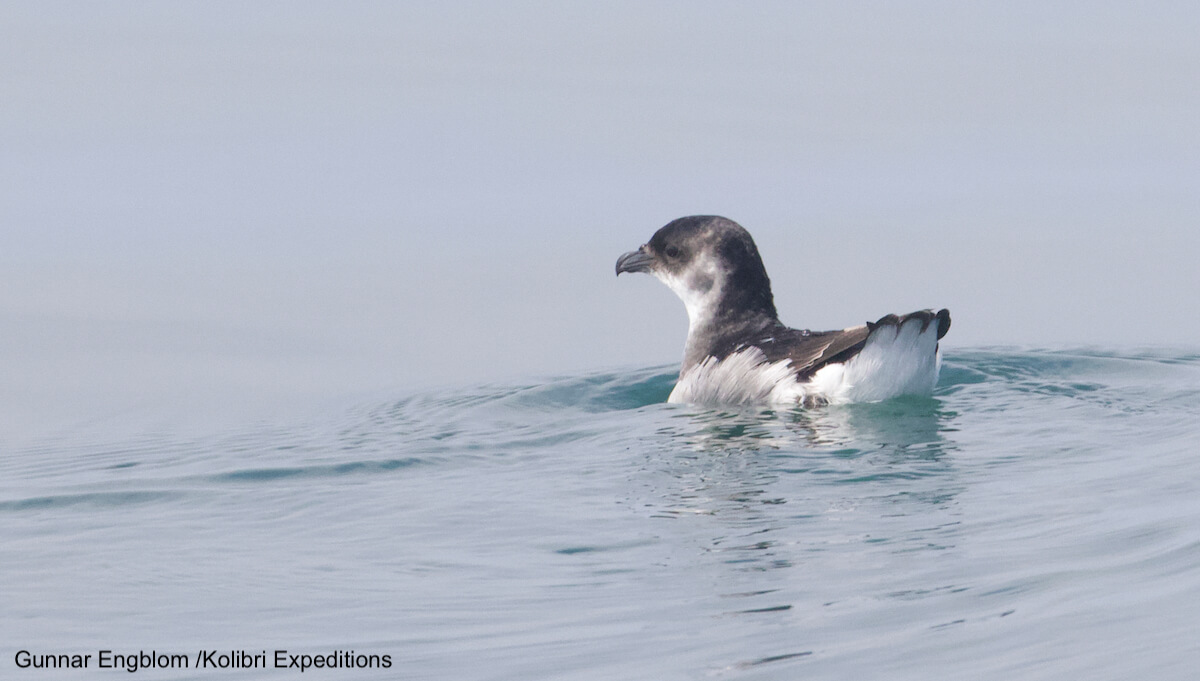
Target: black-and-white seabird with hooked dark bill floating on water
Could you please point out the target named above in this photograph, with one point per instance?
(740, 353)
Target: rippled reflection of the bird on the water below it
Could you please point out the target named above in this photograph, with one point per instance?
(776, 497)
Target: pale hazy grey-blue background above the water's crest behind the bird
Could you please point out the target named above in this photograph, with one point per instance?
(229, 201)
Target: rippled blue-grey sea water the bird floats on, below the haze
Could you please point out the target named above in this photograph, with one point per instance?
(1039, 519)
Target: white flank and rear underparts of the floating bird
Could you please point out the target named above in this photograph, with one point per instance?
(895, 361)
